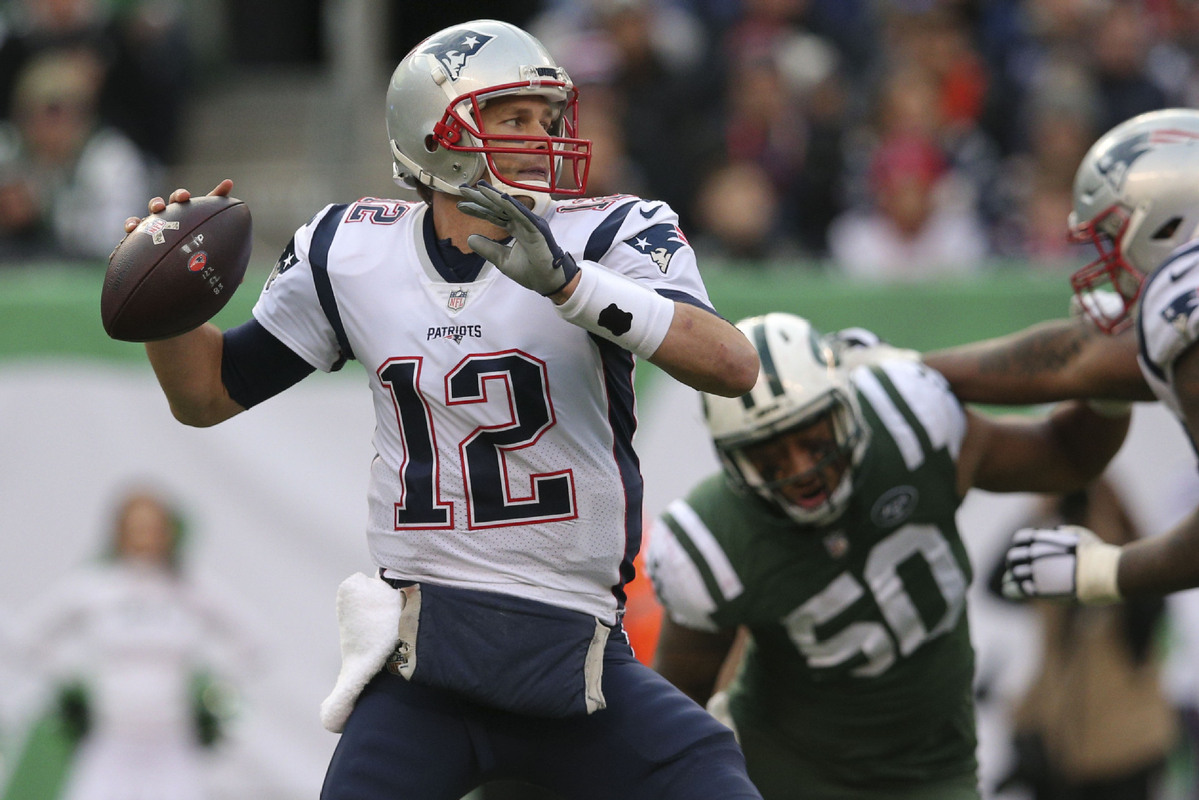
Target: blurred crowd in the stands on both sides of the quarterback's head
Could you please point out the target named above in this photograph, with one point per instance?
(887, 140)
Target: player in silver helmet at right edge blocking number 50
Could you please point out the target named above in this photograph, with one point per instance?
(1137, 201)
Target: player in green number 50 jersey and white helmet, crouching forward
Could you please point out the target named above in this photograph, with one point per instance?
(832, 537)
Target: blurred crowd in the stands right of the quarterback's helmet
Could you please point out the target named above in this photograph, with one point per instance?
(890, 139)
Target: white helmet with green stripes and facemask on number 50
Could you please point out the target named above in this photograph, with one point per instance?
(799, 383)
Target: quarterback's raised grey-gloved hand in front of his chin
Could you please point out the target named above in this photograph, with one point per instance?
(534, 260)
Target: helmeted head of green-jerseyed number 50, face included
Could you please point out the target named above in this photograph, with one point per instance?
(797, 438)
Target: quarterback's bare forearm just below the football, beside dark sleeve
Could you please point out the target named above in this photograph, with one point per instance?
(189, 370)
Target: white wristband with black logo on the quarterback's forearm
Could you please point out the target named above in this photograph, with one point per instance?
(619, 310)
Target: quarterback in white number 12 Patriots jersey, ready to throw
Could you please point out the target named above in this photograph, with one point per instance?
(505, 498)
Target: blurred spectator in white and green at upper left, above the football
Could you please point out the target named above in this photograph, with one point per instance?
(67, 182)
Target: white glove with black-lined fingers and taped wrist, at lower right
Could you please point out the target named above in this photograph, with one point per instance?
(1064, 563)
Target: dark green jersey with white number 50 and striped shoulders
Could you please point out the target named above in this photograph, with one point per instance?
(860, 669)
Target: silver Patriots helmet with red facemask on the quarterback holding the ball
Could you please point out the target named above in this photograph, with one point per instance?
(439, 89)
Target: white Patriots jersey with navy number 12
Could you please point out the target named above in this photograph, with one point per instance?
(504, 434)
